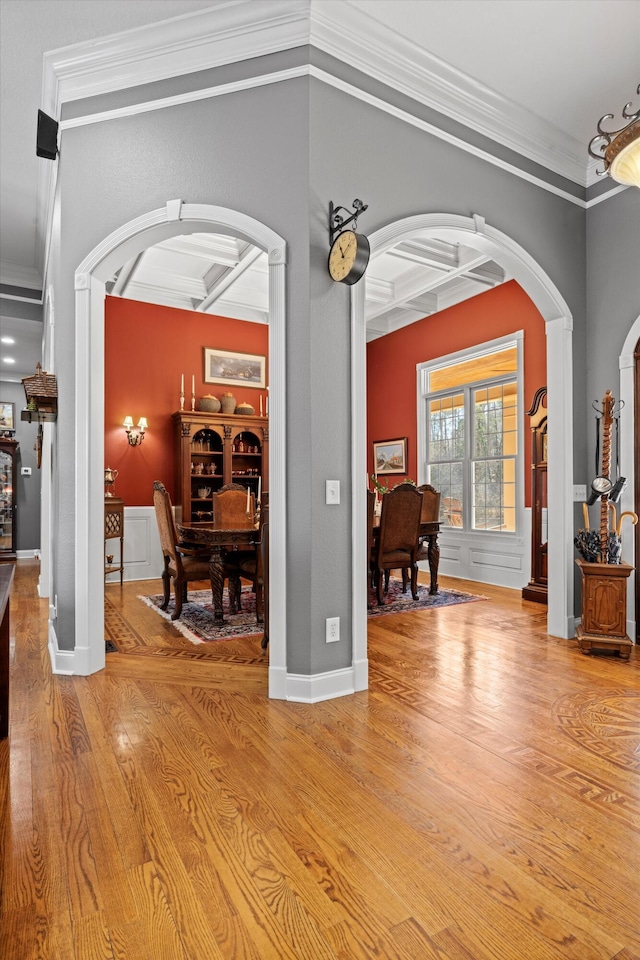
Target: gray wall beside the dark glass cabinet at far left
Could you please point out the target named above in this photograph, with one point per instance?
(28, 488)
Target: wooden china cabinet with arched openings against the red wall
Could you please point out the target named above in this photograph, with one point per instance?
(213, 449)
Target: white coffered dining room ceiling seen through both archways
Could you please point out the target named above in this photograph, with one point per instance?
(224, 276)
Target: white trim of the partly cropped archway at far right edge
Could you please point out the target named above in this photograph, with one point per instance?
(627, 465)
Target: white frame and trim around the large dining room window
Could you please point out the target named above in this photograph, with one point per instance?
(423, 393)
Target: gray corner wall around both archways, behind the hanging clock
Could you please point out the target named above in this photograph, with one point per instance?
(280, 153)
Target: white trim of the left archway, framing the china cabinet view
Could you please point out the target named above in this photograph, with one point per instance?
(170, 220)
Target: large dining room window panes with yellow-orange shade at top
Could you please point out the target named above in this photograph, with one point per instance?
(471, 437)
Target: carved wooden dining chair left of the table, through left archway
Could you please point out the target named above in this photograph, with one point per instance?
(182, 563)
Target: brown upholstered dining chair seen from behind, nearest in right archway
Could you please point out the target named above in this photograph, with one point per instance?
(397, 544)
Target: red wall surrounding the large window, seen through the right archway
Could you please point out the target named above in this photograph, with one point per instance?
(391, 363)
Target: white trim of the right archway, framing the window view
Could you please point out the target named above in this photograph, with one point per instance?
(474, 232)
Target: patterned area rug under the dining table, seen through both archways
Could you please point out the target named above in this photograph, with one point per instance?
(196, 620)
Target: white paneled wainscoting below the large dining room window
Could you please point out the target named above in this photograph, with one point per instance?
(505, 562)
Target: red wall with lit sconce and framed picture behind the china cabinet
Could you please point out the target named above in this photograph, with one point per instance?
(147, 349)
